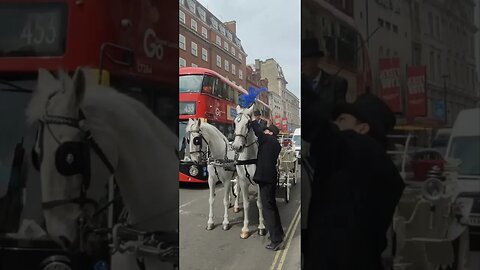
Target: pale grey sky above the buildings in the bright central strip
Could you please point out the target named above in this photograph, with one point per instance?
(267, 29)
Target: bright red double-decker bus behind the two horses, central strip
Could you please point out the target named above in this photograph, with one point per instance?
(207, 95)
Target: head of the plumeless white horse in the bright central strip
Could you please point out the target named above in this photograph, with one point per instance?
(197, 144)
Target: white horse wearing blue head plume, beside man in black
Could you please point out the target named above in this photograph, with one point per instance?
(246, 145)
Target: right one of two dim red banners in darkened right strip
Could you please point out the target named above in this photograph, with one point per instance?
(416, 96)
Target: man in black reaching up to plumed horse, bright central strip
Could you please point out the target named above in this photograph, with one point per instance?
(266, 177)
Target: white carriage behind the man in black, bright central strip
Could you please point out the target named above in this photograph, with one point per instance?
(287, 170)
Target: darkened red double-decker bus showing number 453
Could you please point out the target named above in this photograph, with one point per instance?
(131, 45)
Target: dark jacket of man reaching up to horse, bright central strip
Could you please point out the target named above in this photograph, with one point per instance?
(268, 151)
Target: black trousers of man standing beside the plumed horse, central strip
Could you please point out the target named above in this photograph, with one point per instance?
(270, 211)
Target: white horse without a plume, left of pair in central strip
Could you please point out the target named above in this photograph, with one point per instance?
(208, 144)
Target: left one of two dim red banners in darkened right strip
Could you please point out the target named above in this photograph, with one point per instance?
(390, 90)
